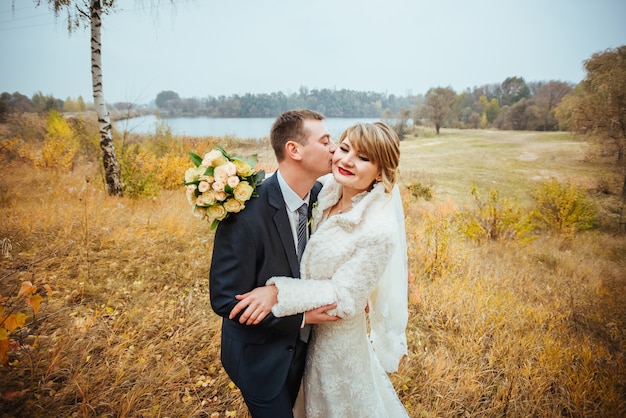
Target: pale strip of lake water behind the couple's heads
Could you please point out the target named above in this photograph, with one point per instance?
(239, 127)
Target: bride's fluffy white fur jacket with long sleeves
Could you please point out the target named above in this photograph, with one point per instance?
(344, 258)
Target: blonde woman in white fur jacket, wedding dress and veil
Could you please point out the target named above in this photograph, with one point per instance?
(355, 258)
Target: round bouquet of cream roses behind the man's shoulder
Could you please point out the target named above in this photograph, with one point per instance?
(219, 184)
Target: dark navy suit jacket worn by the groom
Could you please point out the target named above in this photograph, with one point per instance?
(250, 247)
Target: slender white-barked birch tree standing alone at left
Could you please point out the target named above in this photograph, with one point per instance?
(89, 12)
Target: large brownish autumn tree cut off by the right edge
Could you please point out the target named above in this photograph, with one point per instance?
(597, 106)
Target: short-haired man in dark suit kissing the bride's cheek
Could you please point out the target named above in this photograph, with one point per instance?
(266, 361)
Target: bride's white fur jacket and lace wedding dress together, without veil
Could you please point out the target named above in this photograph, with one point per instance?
(343, 262)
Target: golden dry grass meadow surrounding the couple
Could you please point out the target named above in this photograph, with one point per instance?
(507, 327)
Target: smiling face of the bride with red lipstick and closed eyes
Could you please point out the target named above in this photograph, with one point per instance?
(353, 169)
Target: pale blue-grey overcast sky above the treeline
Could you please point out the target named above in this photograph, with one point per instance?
(202, 48)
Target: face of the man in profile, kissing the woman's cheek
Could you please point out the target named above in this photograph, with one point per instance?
(318, 148)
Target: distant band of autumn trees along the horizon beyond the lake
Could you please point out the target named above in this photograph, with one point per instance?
(513, 104)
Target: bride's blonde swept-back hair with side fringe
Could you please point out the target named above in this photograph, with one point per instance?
(380, 144)
